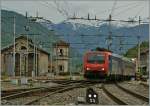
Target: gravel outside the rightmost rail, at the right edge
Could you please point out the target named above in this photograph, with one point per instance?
(137, 88)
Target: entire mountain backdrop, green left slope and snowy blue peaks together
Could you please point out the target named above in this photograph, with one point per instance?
(73, 32)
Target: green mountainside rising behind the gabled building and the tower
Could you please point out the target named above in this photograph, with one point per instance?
(43, 36)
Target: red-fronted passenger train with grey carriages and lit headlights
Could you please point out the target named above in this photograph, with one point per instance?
(105, 64)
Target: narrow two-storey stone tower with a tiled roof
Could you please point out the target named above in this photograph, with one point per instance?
(61, 56)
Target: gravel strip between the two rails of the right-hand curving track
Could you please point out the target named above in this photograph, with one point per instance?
(129, 99)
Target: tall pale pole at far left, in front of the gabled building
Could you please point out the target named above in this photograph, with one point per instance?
(14, 46)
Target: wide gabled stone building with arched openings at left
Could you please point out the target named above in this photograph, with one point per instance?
(29, 63)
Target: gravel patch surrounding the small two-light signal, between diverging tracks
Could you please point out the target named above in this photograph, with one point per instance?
(70, 97)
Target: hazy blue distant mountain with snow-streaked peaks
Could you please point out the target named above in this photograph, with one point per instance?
(76, 32)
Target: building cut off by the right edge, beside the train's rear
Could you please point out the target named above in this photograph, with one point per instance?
(144, 61)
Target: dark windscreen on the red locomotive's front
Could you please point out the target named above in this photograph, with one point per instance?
(96, 58)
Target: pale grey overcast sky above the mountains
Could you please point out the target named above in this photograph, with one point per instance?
(57, 11)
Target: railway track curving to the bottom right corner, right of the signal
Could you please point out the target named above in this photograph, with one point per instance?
(122, 99)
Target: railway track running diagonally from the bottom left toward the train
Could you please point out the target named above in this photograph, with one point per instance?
(44, 92)
